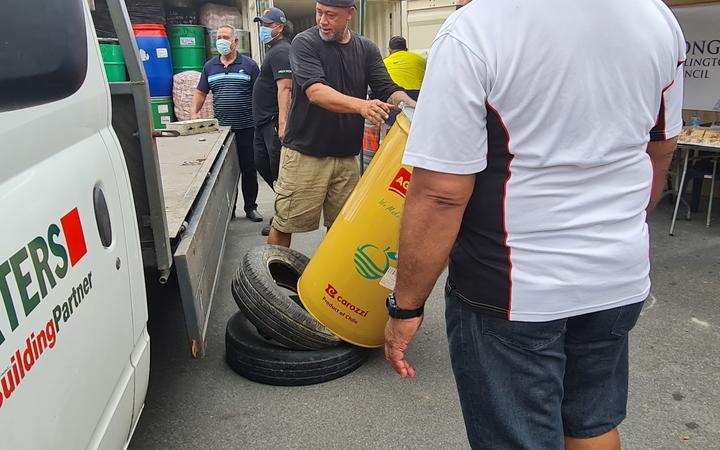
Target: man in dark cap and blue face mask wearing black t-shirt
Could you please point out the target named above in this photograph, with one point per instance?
(272, 95)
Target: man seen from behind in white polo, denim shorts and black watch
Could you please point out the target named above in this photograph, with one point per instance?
(534, 143)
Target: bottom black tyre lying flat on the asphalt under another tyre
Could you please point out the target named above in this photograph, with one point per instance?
(259, 360)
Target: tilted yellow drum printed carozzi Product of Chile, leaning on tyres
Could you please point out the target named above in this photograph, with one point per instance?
(348, 279)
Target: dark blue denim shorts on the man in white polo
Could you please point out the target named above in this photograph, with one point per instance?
(527, 385)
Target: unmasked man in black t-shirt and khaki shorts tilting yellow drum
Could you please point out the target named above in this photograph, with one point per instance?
(332, 69)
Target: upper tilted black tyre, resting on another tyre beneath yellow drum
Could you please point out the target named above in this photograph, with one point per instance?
(265, 290)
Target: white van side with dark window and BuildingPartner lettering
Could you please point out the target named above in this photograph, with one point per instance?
(65, 315)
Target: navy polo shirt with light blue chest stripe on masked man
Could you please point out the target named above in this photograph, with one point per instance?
(232, 88)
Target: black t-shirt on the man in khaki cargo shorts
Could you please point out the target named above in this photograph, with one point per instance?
(349, 69)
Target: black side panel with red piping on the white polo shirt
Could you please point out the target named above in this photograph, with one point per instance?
(482, 262)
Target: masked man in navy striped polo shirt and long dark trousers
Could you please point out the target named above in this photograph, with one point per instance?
(231, 76)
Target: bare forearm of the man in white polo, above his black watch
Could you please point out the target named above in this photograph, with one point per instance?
(434, 208)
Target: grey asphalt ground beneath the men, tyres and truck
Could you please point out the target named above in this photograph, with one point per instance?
(202, 404)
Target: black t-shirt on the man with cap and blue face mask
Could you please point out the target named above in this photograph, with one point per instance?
(275, 66)
